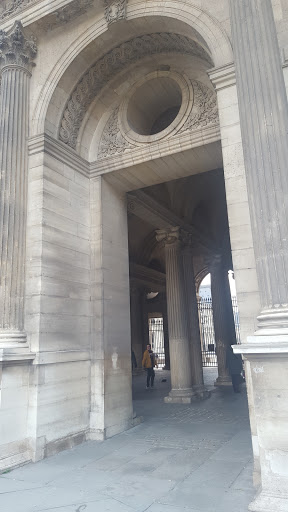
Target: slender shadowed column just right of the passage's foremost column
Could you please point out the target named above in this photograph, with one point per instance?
(193, 320)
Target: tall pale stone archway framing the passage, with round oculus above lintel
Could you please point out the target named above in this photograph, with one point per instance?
(77, 253)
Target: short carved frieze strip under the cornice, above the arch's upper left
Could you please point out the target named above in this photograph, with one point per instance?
(65, 14)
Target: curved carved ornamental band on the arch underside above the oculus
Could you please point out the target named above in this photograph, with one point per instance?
(113, 62)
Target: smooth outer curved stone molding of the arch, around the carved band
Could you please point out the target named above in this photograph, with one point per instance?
(195, 22)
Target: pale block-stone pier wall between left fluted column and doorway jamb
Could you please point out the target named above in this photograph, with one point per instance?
(58, 301)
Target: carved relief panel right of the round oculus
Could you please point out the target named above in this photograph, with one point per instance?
(204, 111)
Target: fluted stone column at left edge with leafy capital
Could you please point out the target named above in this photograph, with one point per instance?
(17, 53)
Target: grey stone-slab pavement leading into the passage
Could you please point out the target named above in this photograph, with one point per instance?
(183, 458)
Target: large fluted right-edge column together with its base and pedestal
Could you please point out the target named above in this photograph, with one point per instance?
(264, 125)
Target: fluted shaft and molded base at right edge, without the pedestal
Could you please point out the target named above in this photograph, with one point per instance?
(264, 124)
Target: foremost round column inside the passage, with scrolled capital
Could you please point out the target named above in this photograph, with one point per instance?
(181, 375)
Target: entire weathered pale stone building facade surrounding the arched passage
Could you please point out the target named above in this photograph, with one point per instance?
(103, 99)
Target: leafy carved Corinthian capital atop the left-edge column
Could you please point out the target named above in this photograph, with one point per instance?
(17, 49)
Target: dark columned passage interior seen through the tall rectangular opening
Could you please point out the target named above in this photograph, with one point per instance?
(195, 215)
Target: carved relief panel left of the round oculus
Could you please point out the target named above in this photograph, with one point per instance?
(112, 140)
